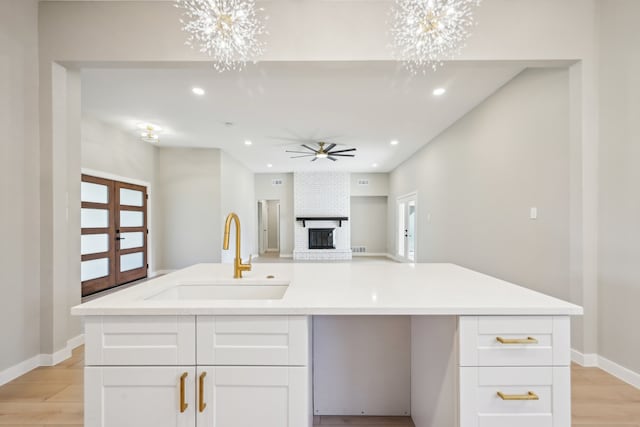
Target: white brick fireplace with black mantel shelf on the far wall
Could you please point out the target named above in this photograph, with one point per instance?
(322, 195)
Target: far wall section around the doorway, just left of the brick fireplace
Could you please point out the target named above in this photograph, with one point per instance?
(265, 190)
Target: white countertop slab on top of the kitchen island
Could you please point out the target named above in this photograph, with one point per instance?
(340, 289)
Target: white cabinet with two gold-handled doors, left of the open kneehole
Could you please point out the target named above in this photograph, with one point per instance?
(184, 371)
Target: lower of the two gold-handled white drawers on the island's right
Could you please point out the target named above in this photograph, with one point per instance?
(481, 406)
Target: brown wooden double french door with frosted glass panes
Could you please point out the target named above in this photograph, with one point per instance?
(114, 233)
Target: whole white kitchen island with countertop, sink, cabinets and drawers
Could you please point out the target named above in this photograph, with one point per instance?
(196, 347)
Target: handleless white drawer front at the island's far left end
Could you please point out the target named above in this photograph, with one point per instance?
(140, 340)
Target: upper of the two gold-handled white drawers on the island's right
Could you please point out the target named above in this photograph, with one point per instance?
(480, 343)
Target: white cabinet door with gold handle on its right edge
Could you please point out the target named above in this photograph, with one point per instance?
(139, 397)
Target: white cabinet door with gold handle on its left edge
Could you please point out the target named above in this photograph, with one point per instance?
(254, 396)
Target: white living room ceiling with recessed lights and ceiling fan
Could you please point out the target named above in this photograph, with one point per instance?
(355, 104)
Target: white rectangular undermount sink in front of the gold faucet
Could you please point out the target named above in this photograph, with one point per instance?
(224, 290)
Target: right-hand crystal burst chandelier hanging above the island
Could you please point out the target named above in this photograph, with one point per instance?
(426, 32)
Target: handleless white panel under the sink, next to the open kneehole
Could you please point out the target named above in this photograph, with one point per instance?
(253, 340)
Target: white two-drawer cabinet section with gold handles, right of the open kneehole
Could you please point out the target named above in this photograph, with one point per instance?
(514, 371)
